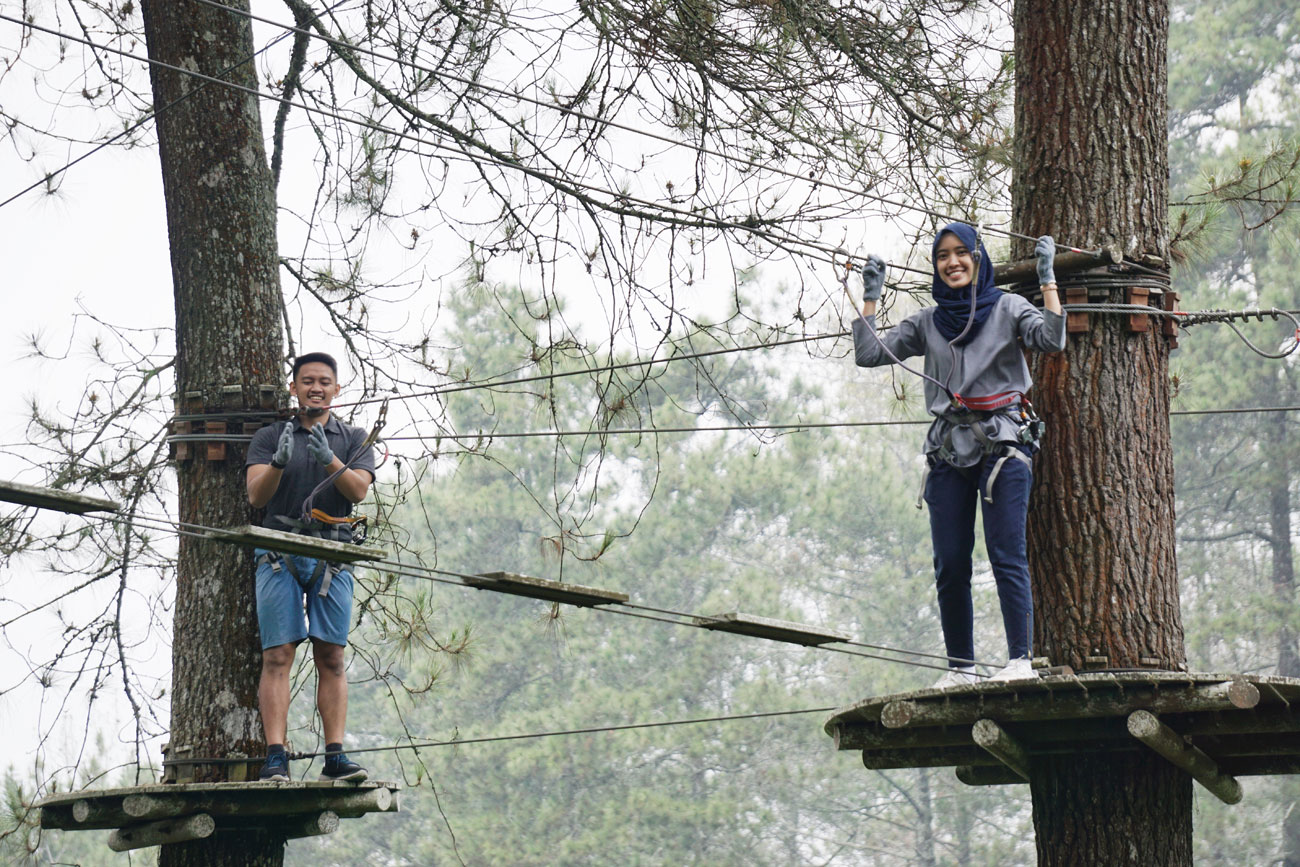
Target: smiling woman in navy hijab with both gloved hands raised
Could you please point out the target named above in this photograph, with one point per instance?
(981, 445)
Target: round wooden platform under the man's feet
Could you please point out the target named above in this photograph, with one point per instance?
(150, 816)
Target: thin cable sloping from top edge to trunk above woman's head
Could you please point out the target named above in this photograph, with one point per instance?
(500, 92)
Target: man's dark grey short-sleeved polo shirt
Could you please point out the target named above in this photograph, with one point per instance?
(304, 474)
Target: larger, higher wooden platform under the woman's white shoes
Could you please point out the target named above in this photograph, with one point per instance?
(1216, 727)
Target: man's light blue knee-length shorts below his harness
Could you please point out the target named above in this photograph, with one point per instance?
(289, 612)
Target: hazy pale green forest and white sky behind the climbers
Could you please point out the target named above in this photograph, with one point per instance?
(813, 526)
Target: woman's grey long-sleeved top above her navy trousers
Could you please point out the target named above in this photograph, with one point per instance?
(991, 363)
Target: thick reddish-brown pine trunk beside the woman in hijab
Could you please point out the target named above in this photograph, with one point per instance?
(1091, 168)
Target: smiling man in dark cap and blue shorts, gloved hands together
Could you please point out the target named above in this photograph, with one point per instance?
(285, 465)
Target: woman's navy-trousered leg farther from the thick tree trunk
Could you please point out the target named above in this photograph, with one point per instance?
(951, 496)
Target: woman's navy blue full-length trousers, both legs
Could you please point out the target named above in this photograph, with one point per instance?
(952, 495)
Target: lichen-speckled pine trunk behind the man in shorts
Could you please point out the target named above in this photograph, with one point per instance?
(222, 224)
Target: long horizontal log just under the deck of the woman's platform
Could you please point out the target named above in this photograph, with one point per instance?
(1035, 705)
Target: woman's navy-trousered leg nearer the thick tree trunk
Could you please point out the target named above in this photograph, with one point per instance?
(1004, 536)
